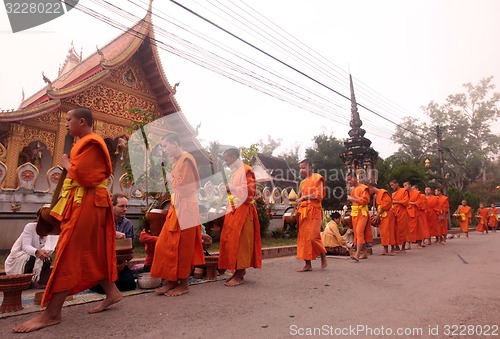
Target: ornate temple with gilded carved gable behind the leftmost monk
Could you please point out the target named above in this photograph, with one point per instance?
(117, 81)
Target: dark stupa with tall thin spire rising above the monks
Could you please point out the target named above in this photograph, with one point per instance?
(359, 157)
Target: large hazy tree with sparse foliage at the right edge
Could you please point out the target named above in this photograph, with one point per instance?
(468, 143)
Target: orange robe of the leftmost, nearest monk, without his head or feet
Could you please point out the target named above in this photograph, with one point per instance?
(85, 252)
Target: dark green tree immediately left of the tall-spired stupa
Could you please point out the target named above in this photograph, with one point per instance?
(325, 156)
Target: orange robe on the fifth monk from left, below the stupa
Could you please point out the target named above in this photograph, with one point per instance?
(360, 215)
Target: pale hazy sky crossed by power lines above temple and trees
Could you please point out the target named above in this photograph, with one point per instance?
(402, 55)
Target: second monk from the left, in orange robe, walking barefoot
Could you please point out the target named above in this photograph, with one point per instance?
(179, 246)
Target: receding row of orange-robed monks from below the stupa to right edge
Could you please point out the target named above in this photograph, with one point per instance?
(407, 216)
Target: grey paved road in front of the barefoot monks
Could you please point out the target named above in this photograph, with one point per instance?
(429, 293)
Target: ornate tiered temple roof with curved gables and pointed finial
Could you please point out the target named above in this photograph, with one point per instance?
(77, 75)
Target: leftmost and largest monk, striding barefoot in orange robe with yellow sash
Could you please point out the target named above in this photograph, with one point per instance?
(85, 252)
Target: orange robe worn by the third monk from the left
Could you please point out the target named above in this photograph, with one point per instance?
(232, 246)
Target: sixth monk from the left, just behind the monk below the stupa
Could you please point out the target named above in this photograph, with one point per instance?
(383, 200)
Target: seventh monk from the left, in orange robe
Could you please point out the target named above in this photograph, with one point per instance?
(400, 200)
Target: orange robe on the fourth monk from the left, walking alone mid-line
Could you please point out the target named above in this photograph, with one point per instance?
(309, 244)
